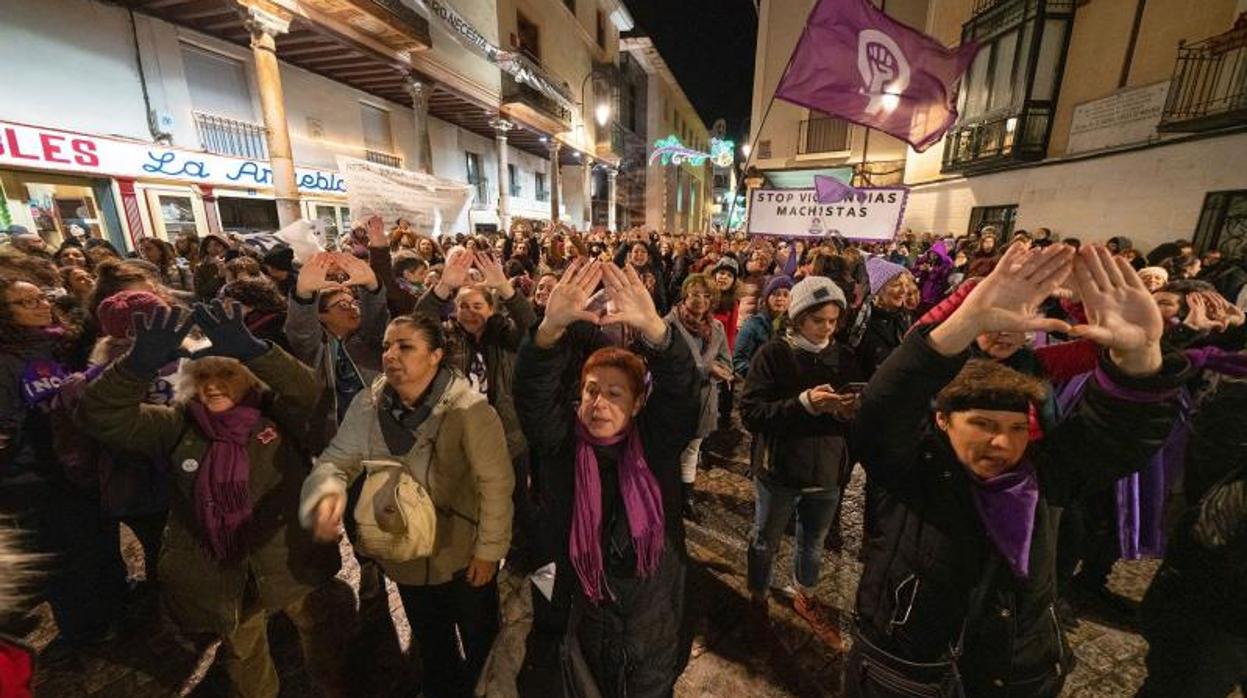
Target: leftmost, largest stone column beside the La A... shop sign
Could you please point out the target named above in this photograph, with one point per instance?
(265, 28)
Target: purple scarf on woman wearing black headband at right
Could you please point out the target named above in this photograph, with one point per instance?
(1007, 508)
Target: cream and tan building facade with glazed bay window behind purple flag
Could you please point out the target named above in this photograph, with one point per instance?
(1092, 118)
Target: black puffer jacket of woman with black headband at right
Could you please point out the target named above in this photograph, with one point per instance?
(930, 548)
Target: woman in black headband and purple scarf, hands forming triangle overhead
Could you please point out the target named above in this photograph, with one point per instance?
(962, 554)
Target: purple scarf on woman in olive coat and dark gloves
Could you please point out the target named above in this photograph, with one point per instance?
(223, 493)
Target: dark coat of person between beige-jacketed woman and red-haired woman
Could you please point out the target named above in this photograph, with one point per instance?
(498, 343)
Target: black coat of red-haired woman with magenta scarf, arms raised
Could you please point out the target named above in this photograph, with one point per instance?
(667, 423)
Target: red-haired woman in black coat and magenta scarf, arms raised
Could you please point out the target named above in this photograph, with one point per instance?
(612, 473)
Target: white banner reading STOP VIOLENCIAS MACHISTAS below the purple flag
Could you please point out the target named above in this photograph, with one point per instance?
(796, 214)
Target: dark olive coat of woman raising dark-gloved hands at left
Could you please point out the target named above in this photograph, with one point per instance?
(285, 564)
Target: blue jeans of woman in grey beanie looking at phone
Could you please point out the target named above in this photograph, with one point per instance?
(774, 507)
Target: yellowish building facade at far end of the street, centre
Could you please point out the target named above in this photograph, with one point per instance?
(678, 196)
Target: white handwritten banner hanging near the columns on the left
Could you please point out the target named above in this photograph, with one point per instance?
(433, 205)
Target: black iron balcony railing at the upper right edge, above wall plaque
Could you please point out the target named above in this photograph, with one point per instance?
(1209, 89)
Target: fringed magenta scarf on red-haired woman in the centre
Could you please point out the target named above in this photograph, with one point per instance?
(643, 502)
